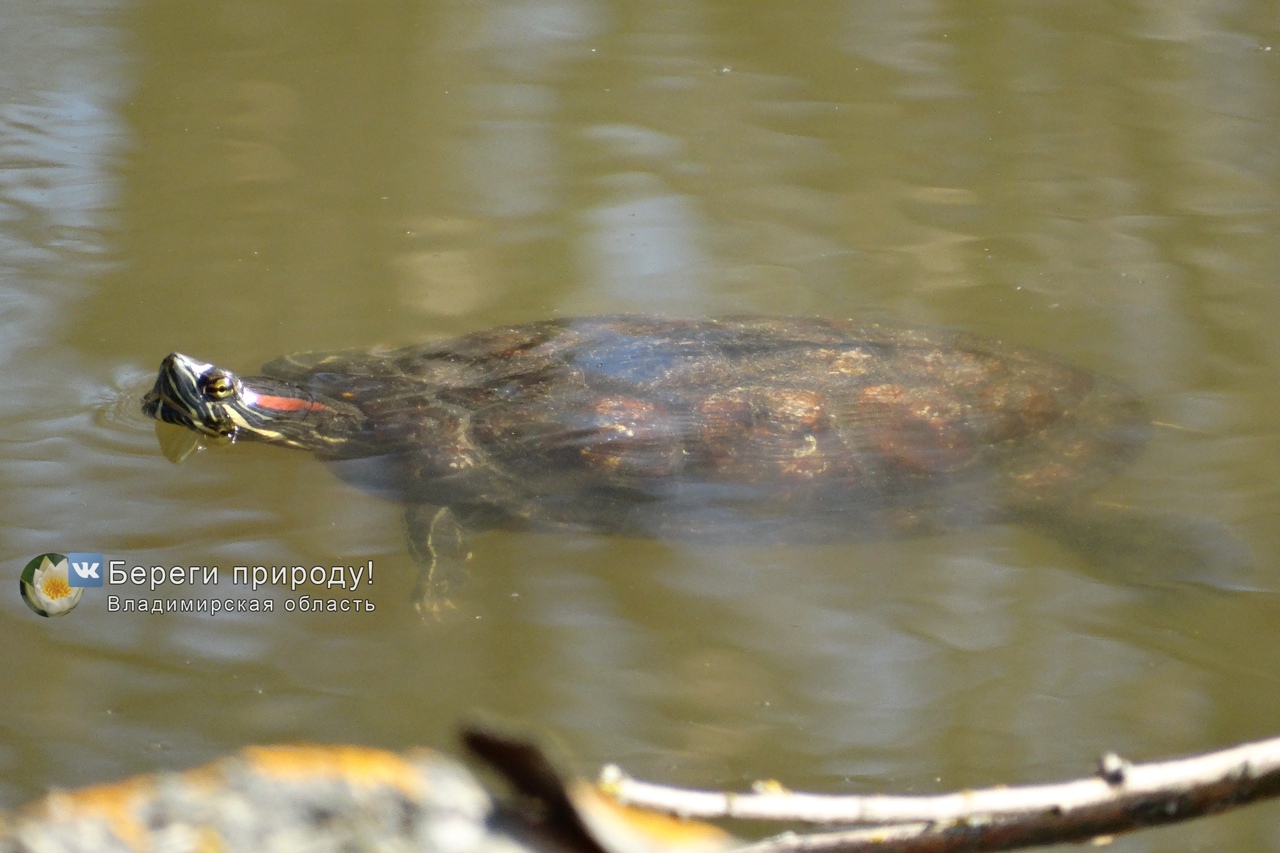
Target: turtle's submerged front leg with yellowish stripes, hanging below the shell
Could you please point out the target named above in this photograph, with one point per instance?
(440, 548)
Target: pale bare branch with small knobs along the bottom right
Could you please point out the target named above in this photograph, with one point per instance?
(1122, 797)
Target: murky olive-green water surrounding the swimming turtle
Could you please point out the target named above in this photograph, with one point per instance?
(243, 180)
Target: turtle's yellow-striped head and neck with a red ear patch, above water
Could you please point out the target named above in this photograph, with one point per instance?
(213, 402)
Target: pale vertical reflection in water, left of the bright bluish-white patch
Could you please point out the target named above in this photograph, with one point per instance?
(490, 152)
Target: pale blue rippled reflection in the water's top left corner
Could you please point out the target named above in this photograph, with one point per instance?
(61, 138)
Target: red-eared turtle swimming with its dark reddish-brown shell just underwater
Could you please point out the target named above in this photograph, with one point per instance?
(744, 426)
